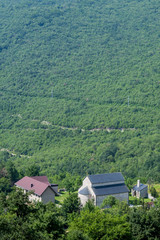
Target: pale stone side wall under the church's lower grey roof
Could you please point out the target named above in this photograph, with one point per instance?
(120, 196)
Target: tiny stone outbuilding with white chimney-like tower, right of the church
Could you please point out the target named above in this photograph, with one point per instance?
(140, 190)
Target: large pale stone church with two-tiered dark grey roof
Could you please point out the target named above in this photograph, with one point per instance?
(100, 186)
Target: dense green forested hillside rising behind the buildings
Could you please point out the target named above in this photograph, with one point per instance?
(79, 86)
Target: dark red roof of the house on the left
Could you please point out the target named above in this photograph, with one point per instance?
(36, 184)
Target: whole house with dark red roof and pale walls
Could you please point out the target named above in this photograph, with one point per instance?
(40, 187)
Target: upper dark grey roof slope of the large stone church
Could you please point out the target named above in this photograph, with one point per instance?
(106, 178)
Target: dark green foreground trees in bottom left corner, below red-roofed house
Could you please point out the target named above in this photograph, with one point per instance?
(19, 219)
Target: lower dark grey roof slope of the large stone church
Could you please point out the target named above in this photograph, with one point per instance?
(111, 189)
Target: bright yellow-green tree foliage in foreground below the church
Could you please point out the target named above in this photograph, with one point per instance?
(97, 225)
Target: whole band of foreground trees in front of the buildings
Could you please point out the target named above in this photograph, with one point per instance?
(21, 220)
